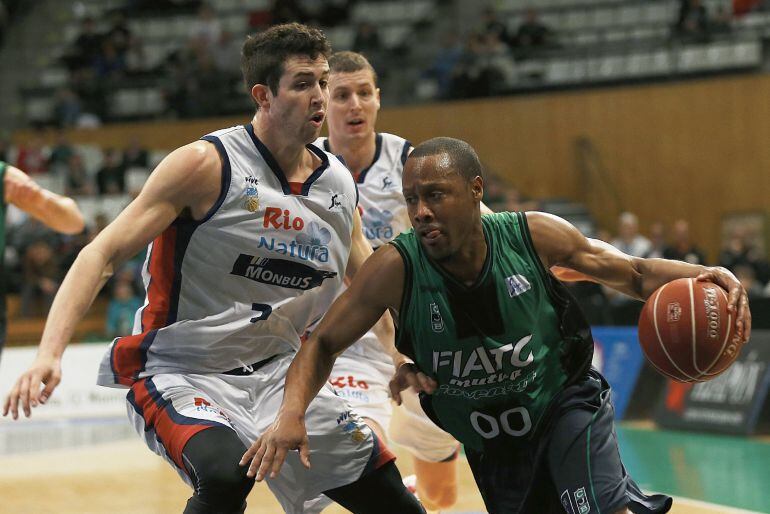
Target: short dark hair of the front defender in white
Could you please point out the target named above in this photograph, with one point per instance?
(263, 55)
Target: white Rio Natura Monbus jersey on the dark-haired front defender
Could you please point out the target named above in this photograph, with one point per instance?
(239, 286)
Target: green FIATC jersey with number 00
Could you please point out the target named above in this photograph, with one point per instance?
(500, 349)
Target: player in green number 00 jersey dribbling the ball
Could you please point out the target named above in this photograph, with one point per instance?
(495, 339)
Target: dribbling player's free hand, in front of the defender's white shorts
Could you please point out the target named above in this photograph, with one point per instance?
(266, 454)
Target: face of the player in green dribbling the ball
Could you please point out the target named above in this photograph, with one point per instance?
(440, 203)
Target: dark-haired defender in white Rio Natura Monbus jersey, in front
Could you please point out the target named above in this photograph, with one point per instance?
(250, 231)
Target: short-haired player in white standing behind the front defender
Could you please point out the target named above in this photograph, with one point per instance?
(362, 373)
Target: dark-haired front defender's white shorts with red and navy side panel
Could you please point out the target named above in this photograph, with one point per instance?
(168, 409)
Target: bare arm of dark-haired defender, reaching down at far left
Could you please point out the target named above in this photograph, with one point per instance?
(189, 178)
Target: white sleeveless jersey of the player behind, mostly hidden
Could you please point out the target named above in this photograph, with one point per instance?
(383, 212)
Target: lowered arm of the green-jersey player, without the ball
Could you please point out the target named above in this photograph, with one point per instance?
(377, 286)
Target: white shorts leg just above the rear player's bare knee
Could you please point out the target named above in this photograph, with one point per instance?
(411, 428)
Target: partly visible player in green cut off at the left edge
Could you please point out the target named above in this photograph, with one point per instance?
(57, 212)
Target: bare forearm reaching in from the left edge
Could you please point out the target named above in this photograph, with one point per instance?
(55, 211)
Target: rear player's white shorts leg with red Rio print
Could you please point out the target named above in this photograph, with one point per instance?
(364, 384)
